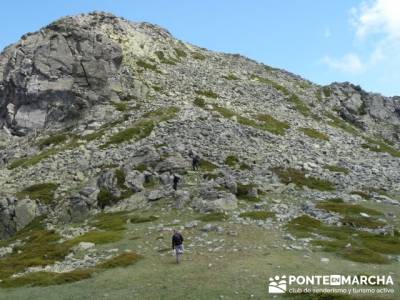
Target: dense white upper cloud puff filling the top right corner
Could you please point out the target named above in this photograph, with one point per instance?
(377, 17)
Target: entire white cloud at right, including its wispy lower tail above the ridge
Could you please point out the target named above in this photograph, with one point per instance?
(377, 31)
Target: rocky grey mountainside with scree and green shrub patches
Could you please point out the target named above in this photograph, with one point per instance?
(99, 113)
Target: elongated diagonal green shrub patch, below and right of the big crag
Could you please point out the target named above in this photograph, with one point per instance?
(139, 131)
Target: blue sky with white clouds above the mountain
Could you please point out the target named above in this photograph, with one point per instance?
(323, 41)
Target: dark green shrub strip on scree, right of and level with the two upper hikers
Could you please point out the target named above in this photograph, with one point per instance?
(299, 178)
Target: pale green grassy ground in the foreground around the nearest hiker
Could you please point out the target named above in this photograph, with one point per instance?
(235, 275)
